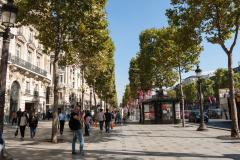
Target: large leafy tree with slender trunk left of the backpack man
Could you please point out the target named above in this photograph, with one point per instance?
(80, 35)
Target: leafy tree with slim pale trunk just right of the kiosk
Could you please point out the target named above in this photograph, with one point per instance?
(176, 51)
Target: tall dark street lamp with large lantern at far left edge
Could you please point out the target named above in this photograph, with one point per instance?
(9, 14)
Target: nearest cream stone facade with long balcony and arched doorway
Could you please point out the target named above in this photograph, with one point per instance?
(28, 73)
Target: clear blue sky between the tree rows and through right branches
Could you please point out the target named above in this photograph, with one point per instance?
(128, 18)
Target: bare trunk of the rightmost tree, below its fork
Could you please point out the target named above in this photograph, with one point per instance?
(234, 130)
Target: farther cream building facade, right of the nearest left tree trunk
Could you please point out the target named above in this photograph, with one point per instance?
(73, 89)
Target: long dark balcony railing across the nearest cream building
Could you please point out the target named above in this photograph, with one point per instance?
(20, 62)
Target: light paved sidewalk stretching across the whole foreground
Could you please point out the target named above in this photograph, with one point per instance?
(132, 142)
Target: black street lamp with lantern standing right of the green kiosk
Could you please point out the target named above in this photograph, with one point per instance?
(202, 126)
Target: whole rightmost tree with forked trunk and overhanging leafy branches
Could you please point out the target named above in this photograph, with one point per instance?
(218, 21)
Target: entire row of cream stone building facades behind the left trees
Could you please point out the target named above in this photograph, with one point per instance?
(29, 78)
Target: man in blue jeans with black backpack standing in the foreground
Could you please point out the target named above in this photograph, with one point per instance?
(75, 124)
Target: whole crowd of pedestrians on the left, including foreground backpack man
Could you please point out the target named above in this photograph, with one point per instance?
(80, 123)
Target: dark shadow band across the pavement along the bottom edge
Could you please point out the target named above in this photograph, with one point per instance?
(61, 154)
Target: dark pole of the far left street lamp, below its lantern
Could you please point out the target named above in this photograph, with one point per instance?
(3, 76)
